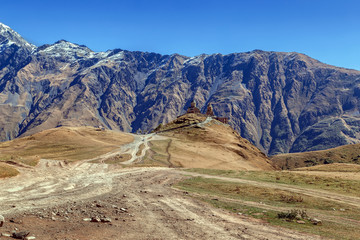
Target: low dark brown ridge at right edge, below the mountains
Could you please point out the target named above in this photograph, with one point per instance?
(343, 154)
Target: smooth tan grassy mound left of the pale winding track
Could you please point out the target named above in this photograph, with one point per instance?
(65, 143)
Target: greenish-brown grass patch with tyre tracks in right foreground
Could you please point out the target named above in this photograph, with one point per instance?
(266, 204)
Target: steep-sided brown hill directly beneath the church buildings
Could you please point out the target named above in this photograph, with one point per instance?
(196, 141)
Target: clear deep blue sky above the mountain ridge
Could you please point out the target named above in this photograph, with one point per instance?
(326, 30)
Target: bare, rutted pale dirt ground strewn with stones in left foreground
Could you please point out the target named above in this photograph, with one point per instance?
(56, 200)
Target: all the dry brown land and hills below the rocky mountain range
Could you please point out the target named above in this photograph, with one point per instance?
(142, 182)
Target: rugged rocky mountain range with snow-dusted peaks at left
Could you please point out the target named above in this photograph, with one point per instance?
(281, 102)
